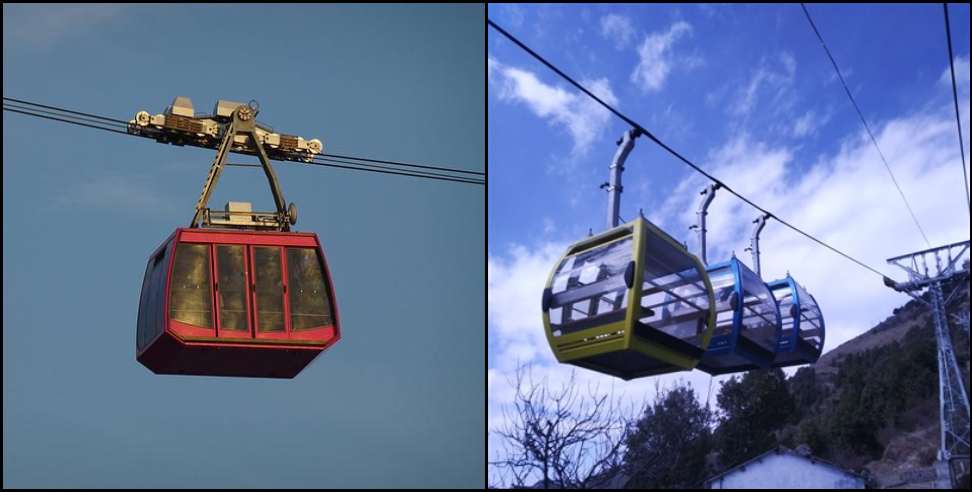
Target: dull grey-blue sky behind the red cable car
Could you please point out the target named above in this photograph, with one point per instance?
(399, 400)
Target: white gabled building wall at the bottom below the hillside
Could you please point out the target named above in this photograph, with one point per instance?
(782, 468)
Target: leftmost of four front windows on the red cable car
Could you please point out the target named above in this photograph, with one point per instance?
(191, 297)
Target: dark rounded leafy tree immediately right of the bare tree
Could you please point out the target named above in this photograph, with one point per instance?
(668, 444)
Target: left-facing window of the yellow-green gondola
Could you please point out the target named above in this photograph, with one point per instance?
(588, 284)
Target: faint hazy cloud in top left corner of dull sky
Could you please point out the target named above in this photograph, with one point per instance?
(45, 25)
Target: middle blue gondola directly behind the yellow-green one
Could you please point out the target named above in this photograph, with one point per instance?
(748, 324)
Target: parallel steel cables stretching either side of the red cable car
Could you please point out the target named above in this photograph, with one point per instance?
(78, 120)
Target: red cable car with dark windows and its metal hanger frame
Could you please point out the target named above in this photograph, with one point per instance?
(236, 293)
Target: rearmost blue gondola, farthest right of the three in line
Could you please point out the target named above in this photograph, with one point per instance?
(803, 326)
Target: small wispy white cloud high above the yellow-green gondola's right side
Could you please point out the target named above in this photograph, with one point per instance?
(656, 60)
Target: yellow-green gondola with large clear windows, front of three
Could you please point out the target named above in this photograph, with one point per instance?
(590, 321)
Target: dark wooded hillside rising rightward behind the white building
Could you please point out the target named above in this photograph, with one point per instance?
(869, 405)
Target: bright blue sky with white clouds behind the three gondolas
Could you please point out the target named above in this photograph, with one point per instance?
(746, 92)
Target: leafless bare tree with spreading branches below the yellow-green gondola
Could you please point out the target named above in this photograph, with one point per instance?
(560, 438)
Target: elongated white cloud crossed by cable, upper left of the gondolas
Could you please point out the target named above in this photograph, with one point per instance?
(582, 118)
